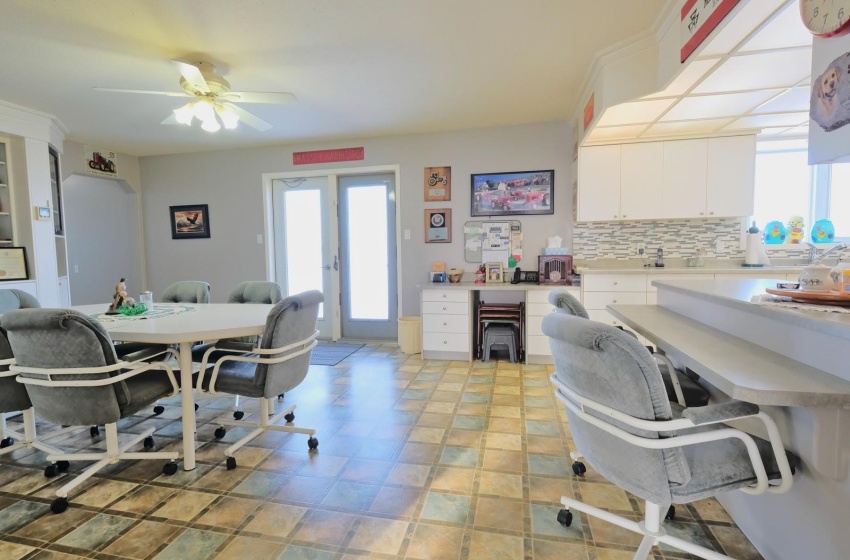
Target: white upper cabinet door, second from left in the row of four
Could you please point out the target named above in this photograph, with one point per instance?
(640, 180)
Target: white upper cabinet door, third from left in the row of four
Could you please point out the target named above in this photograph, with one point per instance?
(684, 179)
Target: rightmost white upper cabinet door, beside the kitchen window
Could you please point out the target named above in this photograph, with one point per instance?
(731, 176)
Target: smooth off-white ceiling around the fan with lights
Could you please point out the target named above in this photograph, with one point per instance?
(358, 68)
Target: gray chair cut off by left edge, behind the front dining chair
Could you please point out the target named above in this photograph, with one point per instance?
(13, 395)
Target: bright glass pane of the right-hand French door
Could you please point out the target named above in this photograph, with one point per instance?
(367, 249)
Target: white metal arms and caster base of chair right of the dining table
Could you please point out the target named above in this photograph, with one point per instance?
(268, 419)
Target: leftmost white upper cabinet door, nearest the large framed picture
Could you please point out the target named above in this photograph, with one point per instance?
(599, 183)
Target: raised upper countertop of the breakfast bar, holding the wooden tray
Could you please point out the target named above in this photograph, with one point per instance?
(738, 293)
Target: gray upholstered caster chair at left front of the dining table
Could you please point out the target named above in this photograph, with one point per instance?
(68, 365)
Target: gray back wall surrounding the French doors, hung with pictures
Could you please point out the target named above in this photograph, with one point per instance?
(230, 182)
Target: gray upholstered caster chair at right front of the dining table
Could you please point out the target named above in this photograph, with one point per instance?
(279, 364)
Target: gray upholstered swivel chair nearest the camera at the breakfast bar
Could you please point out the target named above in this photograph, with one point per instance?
(623, 424)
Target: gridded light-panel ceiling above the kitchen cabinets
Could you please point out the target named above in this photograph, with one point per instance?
(753, 75)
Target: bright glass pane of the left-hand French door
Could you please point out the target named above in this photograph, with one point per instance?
(303, 225)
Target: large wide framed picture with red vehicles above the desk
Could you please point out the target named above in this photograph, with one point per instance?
(512, 194)
